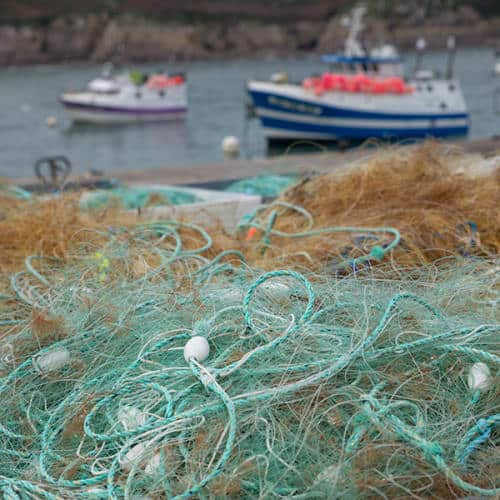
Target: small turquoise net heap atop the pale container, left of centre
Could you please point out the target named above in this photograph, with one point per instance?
(137, 197)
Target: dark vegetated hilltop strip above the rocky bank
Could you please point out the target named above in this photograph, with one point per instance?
(26, 11)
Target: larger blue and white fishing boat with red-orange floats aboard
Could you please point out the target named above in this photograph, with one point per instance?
(361, 96)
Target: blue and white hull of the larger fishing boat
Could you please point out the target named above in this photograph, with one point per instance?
(289, 112)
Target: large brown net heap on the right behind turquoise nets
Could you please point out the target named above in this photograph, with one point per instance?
(438, 209)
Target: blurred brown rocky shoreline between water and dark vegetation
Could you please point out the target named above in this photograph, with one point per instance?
(126, 39)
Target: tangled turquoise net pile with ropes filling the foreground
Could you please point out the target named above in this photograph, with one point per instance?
(372, 384)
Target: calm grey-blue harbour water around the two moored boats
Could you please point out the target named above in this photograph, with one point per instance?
(216, 92)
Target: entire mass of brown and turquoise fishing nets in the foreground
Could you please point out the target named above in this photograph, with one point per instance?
(334, 347)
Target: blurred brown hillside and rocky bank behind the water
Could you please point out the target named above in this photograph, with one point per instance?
(147, 30)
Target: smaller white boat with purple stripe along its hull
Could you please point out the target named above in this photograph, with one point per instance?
(128, 97)
